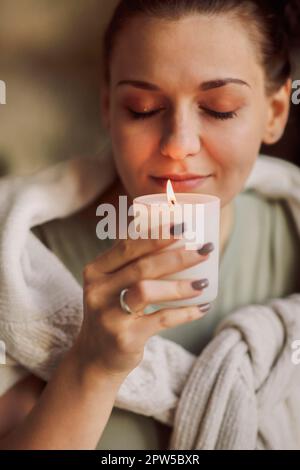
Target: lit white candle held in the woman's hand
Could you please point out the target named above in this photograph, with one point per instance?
(201, 216)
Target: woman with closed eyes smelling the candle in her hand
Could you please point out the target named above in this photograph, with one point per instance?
(208, 82)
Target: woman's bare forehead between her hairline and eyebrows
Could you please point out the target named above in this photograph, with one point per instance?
(173, 52)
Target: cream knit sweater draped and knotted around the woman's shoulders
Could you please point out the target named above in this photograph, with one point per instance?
(242, 392)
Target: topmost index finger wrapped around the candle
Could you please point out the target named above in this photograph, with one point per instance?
(127, 251)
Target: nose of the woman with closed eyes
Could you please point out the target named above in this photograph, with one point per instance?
(181, 138)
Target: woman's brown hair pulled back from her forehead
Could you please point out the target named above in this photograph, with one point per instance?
(273, 24)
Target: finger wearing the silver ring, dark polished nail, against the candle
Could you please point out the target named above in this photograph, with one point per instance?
(145, 293)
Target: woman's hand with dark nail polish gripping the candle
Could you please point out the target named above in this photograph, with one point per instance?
(114, 341)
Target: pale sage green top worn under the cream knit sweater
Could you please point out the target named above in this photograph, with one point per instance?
(258, 264)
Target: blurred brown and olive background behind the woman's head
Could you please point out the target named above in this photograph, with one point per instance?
(50, 59)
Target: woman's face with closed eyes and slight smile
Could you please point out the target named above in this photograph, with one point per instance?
(186, 102)
